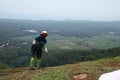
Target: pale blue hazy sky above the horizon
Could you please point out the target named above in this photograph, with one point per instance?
(96, 10)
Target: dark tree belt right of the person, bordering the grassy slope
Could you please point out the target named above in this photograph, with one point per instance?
(72, 56)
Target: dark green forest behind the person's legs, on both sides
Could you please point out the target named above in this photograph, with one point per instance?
(59, 57)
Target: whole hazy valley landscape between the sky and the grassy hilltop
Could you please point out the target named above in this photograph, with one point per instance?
(68, 41)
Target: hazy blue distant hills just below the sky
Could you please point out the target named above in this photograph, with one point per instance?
(12, 27)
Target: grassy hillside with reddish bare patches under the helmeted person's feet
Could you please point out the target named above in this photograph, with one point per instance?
(93, 69)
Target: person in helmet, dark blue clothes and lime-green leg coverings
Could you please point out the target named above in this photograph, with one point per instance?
(37, 48)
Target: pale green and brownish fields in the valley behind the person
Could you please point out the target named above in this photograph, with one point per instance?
(105, 41)
